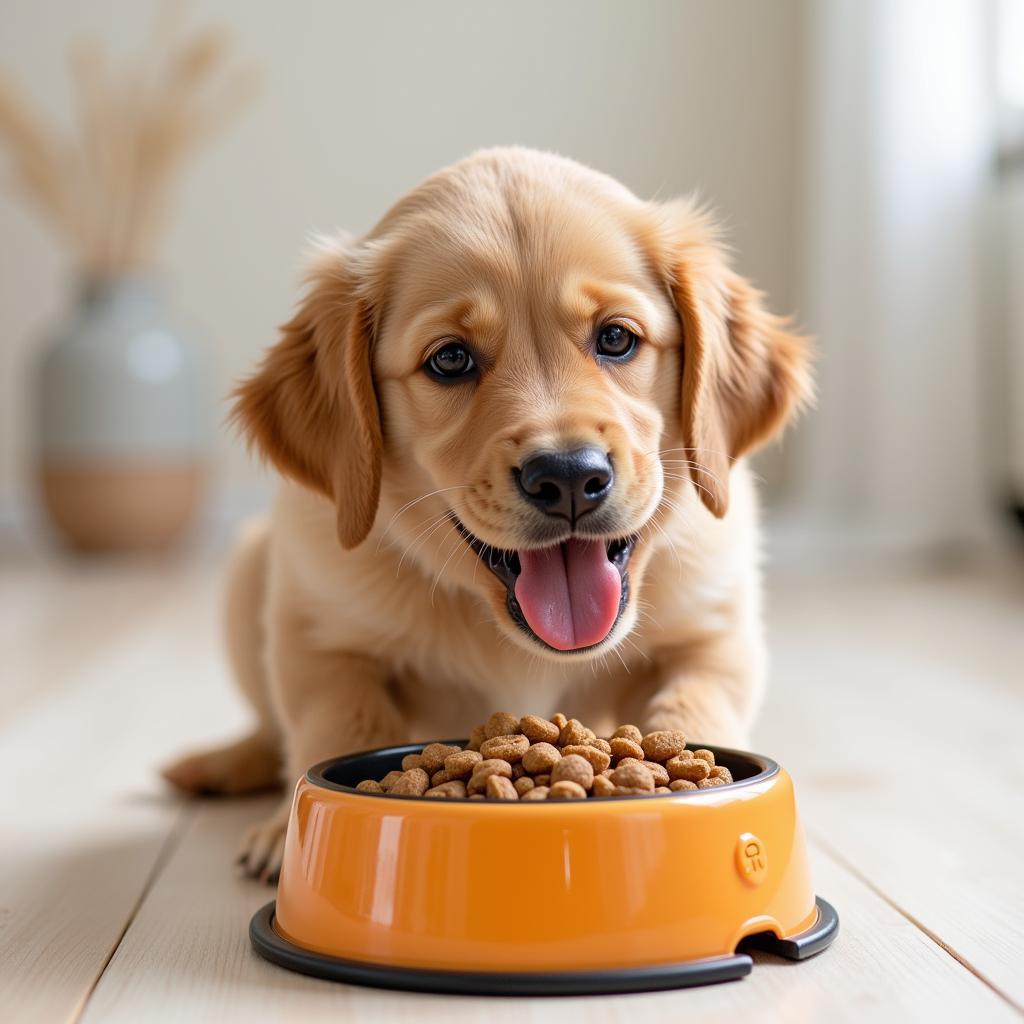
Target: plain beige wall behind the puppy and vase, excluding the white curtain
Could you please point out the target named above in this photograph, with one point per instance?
(363, 100)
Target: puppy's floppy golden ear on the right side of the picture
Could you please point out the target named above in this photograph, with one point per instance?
(745, 374)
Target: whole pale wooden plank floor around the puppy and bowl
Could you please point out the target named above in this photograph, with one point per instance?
(898, 705)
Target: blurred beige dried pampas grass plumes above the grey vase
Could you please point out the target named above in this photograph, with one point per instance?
(108, 192)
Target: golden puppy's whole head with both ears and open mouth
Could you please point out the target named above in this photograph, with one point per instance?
(518, 367)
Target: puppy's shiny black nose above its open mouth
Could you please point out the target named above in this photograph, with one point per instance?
(567, 484)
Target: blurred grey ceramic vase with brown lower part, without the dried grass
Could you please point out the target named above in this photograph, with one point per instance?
(120, 420)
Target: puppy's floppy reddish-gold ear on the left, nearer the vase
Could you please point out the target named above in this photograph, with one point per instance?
(312, 409)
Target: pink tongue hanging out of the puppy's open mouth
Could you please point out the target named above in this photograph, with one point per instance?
(570, 593)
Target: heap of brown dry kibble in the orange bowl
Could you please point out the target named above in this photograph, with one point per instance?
(560, 758)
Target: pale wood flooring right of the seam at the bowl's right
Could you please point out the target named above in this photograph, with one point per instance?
(898, 707)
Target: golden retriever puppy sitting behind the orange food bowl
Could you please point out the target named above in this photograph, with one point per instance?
(511, 423)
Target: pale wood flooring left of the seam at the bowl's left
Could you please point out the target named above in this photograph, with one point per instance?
(83, 817)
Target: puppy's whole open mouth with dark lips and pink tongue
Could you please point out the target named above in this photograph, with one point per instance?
(568, 596)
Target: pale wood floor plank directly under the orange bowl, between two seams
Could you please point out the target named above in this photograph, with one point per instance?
(187, 958)
